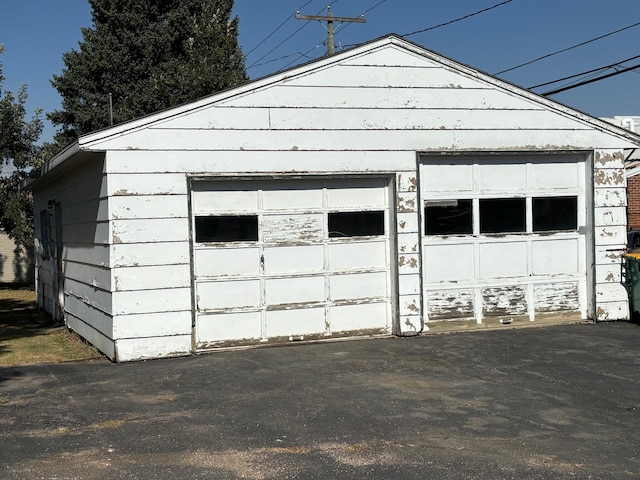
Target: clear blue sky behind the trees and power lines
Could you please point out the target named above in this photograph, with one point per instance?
(37, 32)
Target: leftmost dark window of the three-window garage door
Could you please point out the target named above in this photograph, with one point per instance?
(448, 217)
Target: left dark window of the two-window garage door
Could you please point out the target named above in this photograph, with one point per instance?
(227, 229)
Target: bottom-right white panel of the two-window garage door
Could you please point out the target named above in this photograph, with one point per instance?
(369, 316)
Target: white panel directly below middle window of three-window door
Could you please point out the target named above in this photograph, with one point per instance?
(503, 259)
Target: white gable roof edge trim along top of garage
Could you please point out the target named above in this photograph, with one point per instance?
(93, 142)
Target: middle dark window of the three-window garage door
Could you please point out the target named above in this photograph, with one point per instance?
(503, 215)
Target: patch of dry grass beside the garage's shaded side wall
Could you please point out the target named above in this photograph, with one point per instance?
(28, 335)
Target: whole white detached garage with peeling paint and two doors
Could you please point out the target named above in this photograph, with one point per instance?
(383, 190)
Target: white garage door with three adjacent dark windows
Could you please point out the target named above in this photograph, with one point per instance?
(504, 238)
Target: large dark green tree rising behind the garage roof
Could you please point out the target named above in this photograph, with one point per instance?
(149, 55)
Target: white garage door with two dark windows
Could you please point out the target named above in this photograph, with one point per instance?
(290, 259)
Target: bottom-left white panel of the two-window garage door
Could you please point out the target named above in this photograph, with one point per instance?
(229, 326)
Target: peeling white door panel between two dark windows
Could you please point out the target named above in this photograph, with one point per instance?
(291, 228)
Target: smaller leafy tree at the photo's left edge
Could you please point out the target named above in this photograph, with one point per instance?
(18, 155)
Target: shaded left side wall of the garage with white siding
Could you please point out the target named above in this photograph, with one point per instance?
(85, 278)
